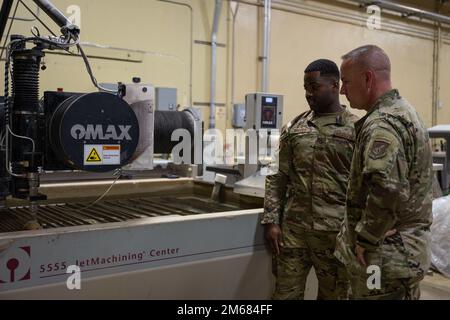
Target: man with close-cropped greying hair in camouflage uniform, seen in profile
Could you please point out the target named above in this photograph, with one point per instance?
(389, 200)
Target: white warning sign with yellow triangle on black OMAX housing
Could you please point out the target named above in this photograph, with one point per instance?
(101, 154)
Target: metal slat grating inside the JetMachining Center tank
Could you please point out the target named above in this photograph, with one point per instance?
(77, 214)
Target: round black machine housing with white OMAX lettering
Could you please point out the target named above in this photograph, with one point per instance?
(74, 121)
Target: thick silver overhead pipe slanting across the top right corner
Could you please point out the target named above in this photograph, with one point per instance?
(406, 11)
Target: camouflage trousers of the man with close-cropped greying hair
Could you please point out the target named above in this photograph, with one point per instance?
(389, 289)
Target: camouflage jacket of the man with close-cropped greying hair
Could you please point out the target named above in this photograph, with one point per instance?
(389, 188)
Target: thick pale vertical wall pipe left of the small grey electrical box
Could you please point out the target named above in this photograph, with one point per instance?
(212, 114)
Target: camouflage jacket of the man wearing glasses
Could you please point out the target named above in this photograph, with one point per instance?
(314, 163)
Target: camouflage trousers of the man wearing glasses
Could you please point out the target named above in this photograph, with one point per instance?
(314, 249)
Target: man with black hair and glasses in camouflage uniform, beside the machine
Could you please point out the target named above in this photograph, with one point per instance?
(305, 200)
